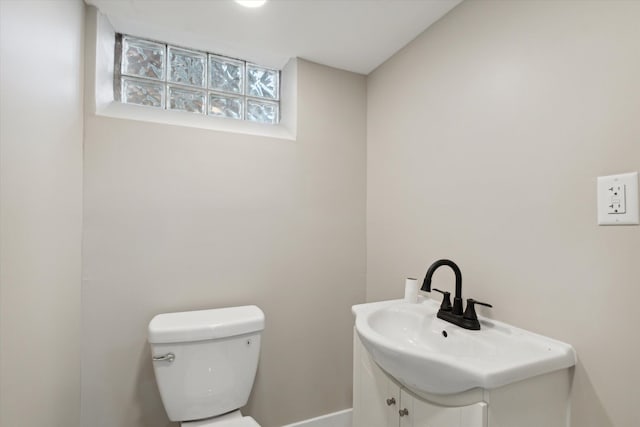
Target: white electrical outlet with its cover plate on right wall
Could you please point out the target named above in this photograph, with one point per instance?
(618, 199)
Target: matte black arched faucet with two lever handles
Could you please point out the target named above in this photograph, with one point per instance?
(468, 320)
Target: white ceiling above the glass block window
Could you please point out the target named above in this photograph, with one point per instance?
(354, 35)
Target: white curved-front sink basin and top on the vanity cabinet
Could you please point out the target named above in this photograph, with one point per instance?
(427, 354)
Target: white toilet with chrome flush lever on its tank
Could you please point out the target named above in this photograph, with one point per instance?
(205, 364)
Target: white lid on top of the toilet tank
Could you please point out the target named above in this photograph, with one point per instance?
(205, 324)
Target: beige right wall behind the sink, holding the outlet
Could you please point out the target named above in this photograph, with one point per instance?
(485, 138)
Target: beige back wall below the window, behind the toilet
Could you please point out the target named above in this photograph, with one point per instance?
(179, 218)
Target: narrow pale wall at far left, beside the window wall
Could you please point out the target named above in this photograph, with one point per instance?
(41, 73)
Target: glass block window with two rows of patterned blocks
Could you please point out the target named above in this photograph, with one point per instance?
(169, 77)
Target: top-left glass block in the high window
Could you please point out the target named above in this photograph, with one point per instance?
(141, 58)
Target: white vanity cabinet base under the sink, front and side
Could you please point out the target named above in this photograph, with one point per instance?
(380, 401)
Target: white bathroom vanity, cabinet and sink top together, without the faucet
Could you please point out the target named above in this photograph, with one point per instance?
(414, 370)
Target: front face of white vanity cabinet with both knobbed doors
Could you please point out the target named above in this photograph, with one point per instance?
(378, 401)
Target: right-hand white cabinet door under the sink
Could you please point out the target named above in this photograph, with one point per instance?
(425, 414)
